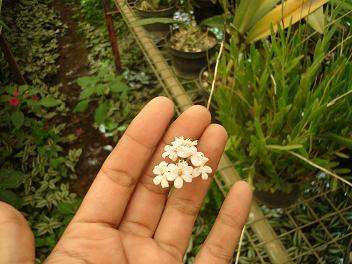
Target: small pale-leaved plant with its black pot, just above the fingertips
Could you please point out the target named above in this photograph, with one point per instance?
(191, 48)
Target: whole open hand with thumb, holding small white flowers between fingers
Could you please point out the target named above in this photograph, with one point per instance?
(125, 218)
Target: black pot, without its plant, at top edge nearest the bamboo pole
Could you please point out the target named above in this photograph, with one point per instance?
(157, 27)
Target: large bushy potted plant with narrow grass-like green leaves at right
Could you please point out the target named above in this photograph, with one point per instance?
(288, 112)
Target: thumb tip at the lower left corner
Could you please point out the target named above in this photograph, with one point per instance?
(16, 238)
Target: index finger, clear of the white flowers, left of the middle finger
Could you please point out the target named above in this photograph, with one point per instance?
(110, 192)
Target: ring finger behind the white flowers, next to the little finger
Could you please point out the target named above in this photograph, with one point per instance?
(176, 224)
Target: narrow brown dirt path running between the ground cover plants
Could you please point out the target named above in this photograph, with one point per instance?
(74, 64)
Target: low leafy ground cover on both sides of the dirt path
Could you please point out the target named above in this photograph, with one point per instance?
(39, 172)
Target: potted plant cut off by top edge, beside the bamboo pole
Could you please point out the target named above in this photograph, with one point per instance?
(148, 9)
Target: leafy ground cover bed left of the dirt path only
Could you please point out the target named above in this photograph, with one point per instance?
(37, 166)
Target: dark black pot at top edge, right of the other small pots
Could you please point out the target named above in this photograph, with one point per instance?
(204, 9)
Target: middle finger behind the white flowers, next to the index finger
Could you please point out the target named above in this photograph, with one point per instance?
(139, 218)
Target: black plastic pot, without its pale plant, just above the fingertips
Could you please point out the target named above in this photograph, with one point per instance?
(187, 65)
